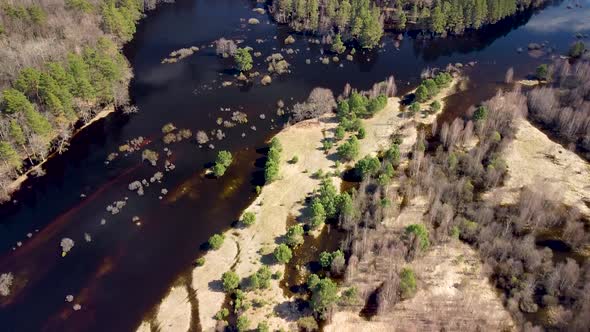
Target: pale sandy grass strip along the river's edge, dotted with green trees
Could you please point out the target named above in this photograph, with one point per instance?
(245, 250)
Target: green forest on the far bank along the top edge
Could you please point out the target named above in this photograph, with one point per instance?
(363, 20)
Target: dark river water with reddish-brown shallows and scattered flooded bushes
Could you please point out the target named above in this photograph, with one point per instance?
(125, 269)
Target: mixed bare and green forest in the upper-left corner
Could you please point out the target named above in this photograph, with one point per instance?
(41, 100)
